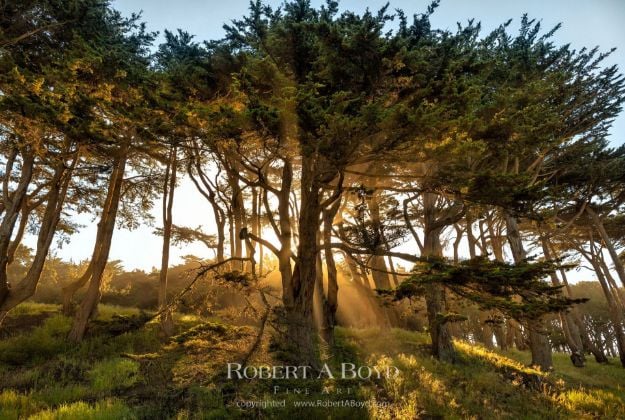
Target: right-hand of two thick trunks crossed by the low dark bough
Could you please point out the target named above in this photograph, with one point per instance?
(538, 341)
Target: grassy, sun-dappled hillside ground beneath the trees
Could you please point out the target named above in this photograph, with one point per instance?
(138, 375)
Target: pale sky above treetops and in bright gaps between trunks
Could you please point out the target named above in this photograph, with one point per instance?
(584, 24)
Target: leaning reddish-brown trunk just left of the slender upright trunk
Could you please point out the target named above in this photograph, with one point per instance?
(91, 299)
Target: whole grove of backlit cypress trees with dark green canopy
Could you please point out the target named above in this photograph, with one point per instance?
(337, 145)
